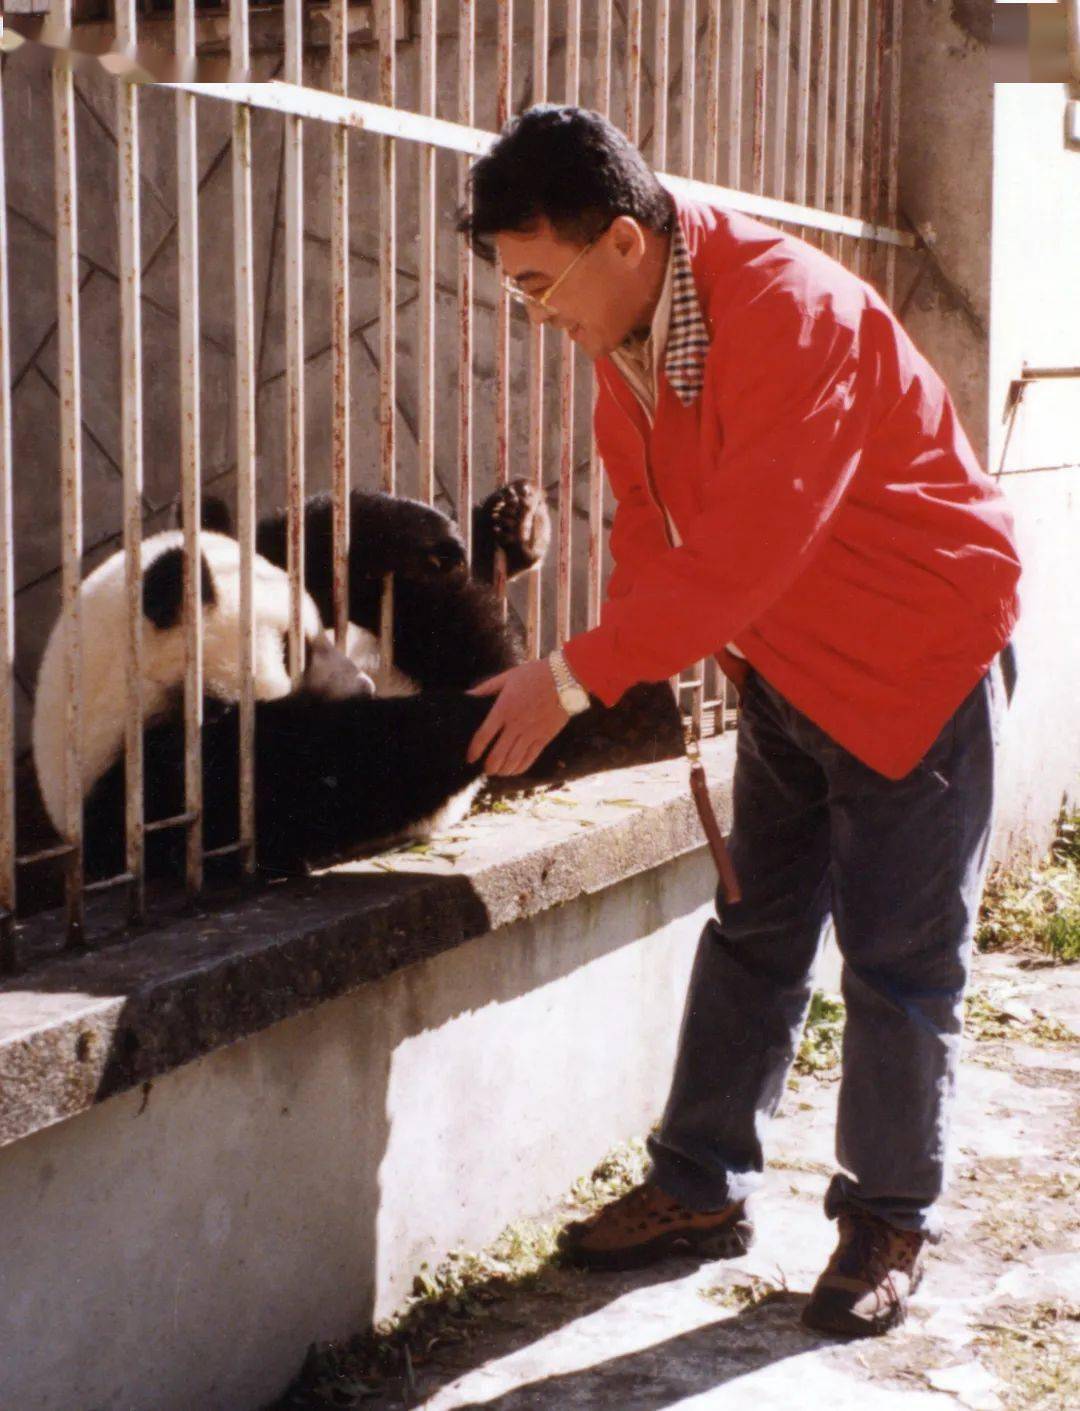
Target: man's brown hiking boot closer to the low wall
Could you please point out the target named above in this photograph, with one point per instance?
(646, 1225)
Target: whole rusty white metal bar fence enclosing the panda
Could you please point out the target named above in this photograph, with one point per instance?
(791, 107)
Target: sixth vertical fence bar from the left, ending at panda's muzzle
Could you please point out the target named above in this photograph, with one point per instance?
(294, 341)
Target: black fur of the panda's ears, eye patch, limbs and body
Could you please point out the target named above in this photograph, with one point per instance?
(334, 777)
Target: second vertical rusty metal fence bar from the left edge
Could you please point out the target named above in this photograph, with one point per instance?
(71, 464)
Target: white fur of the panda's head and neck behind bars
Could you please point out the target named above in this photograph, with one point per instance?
(104, 607)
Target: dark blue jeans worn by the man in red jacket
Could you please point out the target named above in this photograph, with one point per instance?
(900, 866)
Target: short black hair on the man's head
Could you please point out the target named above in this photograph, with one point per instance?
(565, 164)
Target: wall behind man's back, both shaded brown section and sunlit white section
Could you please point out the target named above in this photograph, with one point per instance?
(988, 177)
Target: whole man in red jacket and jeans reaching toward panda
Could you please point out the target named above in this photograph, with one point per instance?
(796, 495)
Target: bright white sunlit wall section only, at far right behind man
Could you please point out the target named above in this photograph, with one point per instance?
(1036, 320)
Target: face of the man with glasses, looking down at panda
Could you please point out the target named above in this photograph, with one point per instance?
(599, 301)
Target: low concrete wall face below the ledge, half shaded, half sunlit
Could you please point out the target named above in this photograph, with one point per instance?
(183, 1249)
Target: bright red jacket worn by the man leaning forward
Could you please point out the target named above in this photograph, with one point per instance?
(835, 521)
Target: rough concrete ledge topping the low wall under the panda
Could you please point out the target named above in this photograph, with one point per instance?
(78, 1029)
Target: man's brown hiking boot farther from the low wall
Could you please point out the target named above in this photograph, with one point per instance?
(866, 1286)
